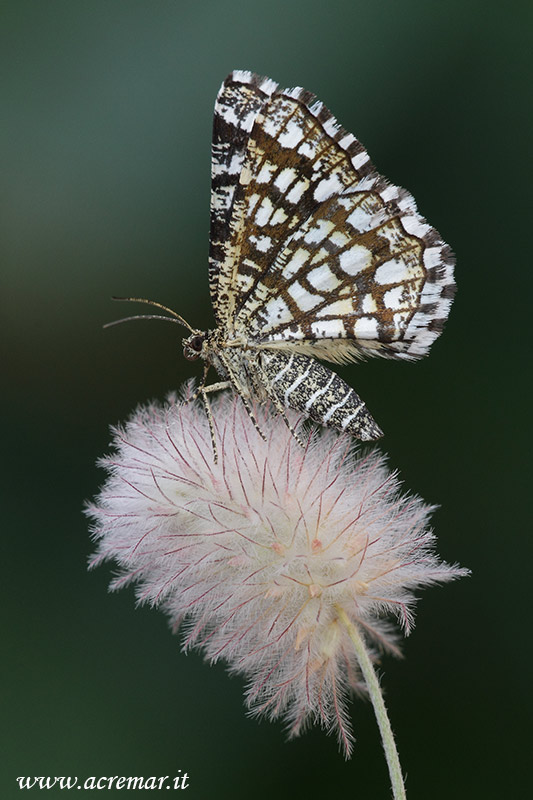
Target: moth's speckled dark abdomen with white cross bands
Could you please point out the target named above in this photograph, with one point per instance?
(306, 385)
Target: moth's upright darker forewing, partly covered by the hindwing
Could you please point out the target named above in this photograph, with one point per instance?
(279, 165)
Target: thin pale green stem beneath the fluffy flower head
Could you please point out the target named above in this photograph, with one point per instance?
(374, 690)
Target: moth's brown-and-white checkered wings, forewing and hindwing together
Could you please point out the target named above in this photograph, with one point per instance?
(320, 253)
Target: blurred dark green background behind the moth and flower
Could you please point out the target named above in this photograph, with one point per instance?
(105, 142)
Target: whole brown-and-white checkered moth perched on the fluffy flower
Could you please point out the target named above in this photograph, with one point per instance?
(313, 255)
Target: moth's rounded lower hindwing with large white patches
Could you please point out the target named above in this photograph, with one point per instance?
(363, 275)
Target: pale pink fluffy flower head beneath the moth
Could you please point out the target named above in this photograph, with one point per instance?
(254, 556)
